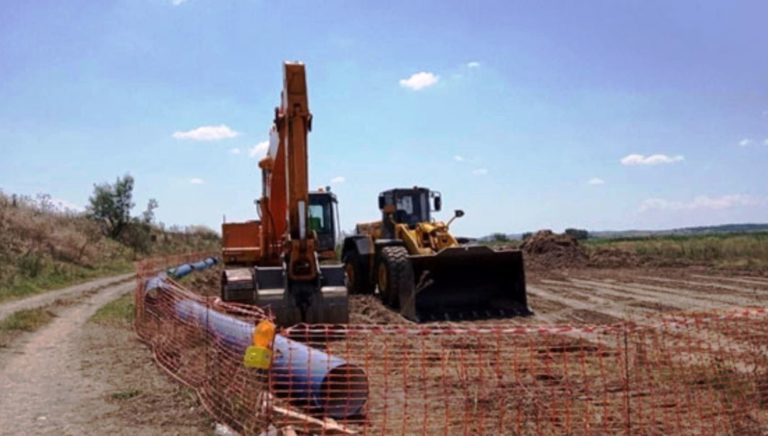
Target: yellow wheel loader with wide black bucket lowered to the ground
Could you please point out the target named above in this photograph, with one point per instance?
(421, 269)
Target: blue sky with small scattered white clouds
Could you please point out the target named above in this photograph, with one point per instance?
(527, 115)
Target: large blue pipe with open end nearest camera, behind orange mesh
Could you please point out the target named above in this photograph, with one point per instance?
(306, 374)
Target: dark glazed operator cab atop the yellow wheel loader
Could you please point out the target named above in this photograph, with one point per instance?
(407, 206)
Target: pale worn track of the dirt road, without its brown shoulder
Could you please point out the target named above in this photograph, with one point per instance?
(44, 390)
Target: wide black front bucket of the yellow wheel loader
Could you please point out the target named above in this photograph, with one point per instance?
(463, 283)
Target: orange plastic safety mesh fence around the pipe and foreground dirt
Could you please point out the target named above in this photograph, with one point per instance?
(699, 373)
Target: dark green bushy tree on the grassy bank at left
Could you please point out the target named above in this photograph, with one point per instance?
(111, 205)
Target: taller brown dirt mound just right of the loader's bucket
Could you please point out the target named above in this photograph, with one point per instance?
(547, 250)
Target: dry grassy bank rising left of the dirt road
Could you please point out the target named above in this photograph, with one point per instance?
(43, 249)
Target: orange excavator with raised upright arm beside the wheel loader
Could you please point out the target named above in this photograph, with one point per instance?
(275, 262)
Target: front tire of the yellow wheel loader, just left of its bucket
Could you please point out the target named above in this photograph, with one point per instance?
(395, 275)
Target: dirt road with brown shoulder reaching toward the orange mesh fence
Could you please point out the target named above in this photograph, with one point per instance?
(76, 377)
